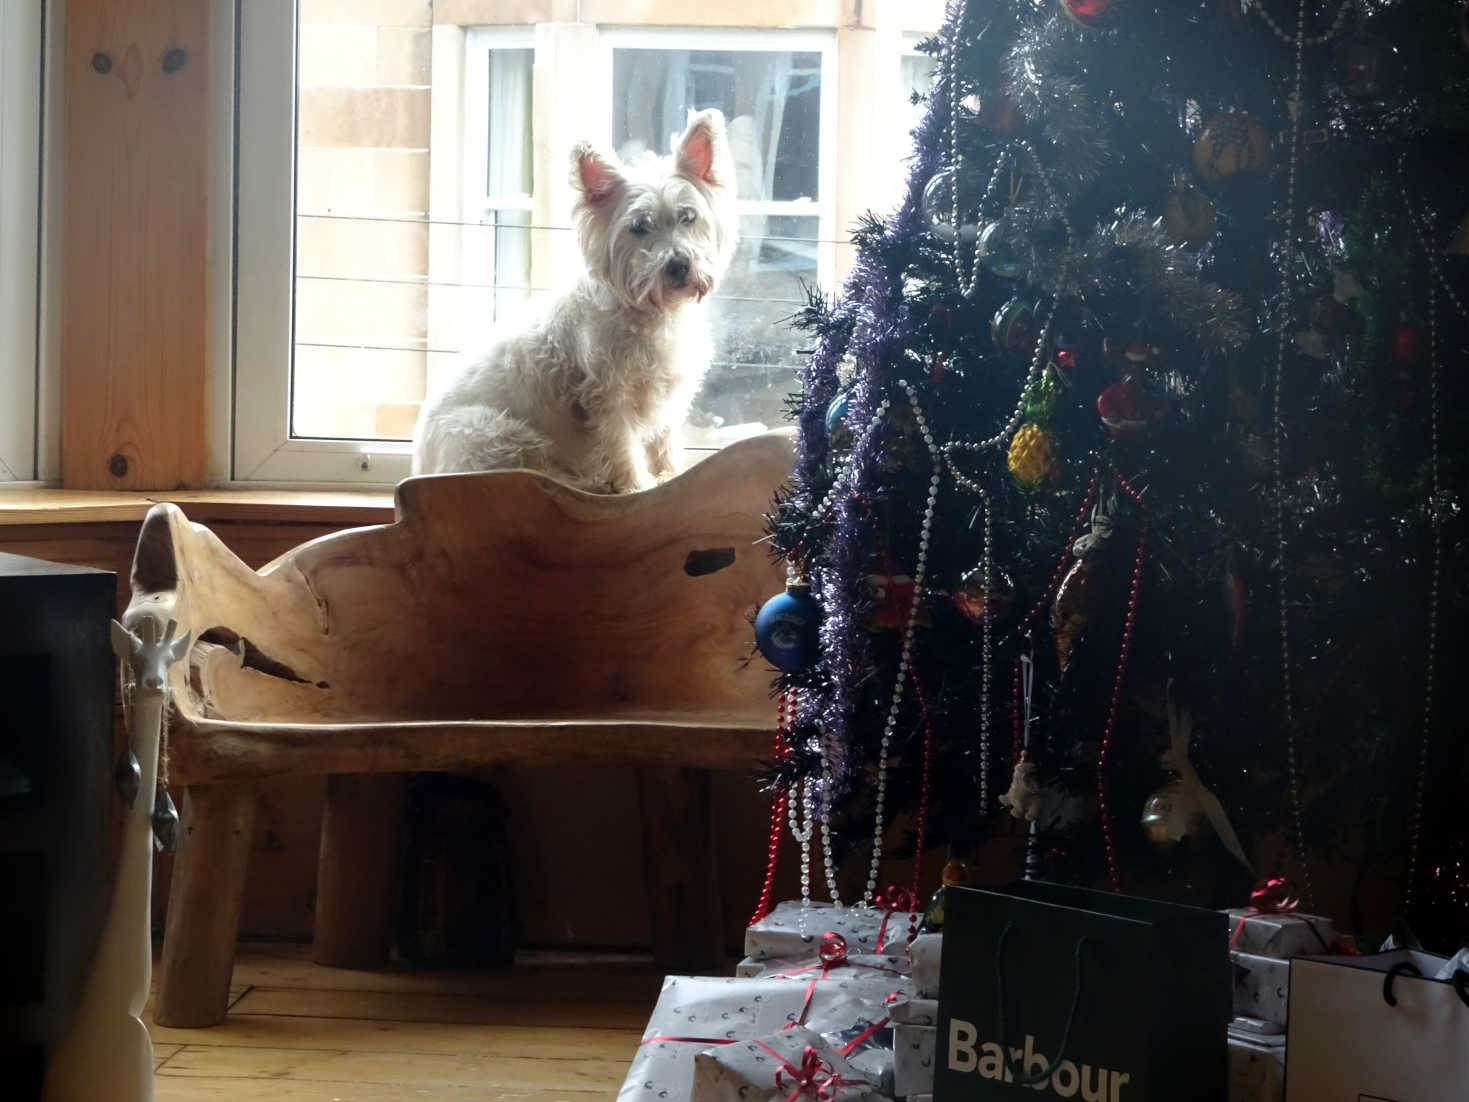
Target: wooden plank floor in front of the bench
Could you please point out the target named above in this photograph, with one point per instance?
(555, 1028)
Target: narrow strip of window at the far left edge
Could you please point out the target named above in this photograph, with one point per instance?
(21, 74)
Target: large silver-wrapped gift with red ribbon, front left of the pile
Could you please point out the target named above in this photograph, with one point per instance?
(713, 1013)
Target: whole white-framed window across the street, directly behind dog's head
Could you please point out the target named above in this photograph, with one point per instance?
(776, 93)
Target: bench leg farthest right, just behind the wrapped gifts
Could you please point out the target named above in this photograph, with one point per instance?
(682, 868)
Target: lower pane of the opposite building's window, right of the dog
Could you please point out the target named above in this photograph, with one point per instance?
(754, 346)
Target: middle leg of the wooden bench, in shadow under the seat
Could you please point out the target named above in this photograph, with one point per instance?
(359, 871)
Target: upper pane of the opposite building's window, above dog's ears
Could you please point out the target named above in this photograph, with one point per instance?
(770, 99)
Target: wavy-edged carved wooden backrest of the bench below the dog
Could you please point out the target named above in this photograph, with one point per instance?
(502, 596)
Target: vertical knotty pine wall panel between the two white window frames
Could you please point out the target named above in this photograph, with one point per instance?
(134, 253)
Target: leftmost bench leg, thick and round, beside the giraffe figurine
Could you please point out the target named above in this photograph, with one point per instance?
(203, 922)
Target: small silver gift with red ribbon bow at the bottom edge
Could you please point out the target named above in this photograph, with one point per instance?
(773, 1067)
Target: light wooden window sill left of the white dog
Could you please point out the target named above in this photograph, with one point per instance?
(280, 506)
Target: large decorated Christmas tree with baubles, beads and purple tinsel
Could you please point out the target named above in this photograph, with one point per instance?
(1126, 528)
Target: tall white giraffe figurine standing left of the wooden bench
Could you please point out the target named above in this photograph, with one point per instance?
(107, 1054)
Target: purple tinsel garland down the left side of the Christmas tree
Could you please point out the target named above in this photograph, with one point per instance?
(881, 333)
